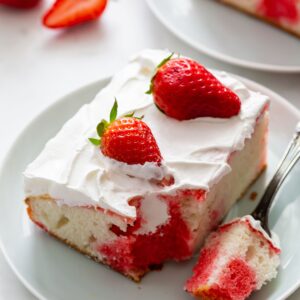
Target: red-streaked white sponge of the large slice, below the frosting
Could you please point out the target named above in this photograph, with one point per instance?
(167, 227)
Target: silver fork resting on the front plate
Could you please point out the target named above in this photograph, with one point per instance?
(290, 158)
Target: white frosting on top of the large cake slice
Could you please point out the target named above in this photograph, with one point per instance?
(195, 152)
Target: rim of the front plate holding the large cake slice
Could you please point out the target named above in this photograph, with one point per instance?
(94, 84)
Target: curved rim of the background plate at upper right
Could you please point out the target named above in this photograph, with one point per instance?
(218, 55)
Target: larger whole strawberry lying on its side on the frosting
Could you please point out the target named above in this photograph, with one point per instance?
(183, 89)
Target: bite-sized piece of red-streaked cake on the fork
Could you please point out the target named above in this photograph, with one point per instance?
(236, 260)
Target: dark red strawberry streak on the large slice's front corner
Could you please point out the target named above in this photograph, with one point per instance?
(143, 251)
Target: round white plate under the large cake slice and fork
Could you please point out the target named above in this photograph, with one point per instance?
(50, 270)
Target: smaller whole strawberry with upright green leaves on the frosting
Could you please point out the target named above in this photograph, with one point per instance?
(127, 139)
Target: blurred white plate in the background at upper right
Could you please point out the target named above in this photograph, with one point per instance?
(229, 35)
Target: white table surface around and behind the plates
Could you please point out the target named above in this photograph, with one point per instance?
(38, 66)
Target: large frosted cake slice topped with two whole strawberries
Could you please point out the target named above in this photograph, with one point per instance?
(135, 179)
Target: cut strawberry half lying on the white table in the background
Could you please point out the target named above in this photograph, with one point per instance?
(65, 13)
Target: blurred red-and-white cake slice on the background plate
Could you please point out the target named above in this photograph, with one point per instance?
(282, 13)
